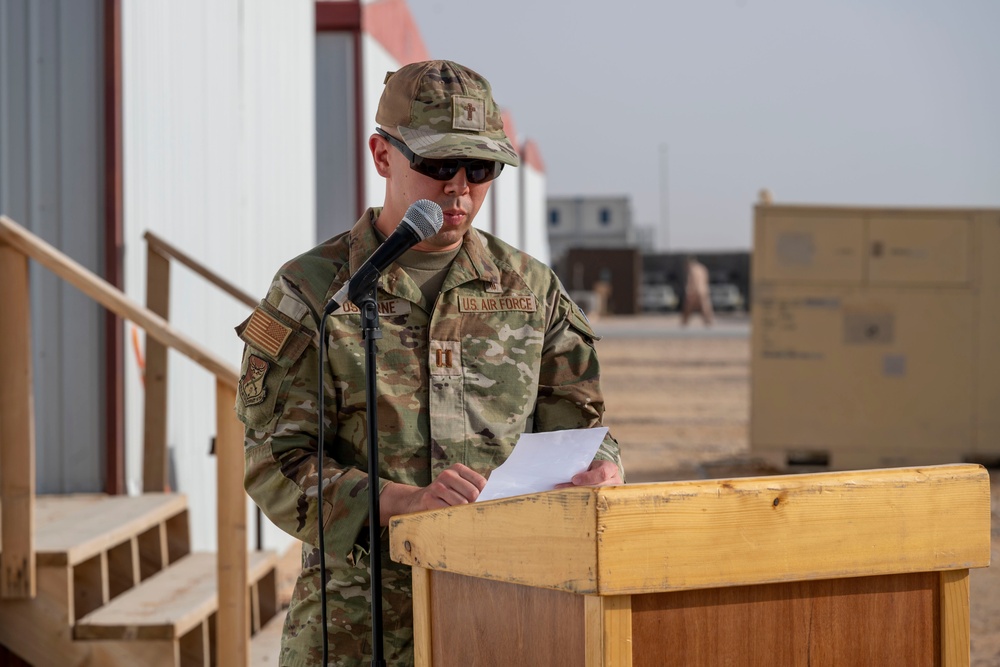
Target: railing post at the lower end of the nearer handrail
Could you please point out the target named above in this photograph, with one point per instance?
(233, 621)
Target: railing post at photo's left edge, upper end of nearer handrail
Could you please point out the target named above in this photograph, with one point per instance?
(17, 429)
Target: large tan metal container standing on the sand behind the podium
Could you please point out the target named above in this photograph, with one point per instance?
(875, 336)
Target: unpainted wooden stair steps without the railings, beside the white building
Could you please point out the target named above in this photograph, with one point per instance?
(119, 585)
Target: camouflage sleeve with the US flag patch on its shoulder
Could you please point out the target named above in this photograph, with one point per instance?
(277, 403)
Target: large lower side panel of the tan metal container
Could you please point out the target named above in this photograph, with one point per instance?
(817, 388)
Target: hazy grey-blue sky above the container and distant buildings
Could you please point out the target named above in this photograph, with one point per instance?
(873, 102)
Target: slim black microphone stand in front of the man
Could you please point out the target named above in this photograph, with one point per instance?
(370, 332)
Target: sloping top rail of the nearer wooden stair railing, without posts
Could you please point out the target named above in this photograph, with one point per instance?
(111, 298)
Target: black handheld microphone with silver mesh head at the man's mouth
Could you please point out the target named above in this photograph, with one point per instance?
(423, 219)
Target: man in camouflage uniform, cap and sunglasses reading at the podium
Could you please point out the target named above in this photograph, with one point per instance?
(480, 343)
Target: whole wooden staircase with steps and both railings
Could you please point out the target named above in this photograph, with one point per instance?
(111, 580)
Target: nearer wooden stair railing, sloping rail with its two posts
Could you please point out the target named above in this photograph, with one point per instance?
(233, 616)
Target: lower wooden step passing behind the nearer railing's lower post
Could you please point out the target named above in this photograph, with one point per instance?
(178, 601)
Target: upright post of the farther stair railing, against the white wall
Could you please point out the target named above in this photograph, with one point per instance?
(155, 464)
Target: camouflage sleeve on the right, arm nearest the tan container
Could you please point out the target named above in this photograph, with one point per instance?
(569, 388)
